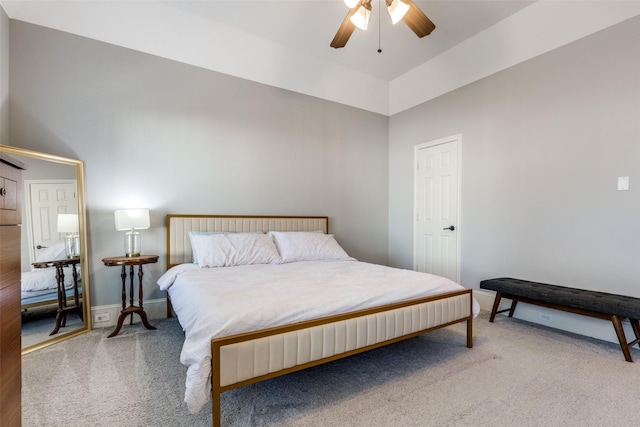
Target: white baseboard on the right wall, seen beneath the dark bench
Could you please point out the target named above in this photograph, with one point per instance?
(570, 322)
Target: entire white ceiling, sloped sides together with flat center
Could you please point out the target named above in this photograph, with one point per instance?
(286, 43)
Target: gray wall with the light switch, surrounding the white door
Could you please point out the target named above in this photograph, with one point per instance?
(542, 146)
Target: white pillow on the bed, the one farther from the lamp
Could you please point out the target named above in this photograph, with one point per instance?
(308, 246)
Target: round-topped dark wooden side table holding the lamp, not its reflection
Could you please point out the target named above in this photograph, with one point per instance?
(123, 262)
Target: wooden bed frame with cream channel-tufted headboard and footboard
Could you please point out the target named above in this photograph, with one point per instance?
(248, 358)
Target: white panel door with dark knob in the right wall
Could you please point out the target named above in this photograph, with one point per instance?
(437, 208)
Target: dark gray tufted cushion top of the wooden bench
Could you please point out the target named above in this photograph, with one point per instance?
(600, 302)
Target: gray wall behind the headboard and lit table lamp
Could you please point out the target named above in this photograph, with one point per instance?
(178, 139)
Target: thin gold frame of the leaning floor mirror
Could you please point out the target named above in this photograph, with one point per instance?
(82, 225)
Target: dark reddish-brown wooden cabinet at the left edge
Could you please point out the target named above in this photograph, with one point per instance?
(10, 325)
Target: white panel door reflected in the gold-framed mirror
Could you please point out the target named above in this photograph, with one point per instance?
(46, 199)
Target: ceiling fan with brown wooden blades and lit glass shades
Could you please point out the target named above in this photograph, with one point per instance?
(360, 12)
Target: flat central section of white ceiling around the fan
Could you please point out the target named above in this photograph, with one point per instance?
(309, 27)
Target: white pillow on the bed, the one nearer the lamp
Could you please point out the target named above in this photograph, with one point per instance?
(226, 250)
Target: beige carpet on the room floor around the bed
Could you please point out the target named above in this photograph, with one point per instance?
(517, 374)
